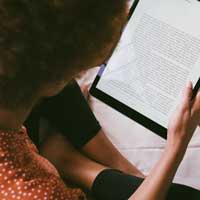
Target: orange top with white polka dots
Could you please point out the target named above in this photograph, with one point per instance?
(25, 175)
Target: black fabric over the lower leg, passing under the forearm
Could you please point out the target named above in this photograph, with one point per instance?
(115, 185)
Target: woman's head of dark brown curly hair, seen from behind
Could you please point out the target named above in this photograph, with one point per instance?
(45, 42)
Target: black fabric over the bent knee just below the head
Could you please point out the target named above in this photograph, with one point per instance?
(68, 113)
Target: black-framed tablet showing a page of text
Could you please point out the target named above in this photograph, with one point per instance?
(158, 53)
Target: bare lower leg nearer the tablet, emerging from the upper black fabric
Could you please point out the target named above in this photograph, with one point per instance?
(104, 152)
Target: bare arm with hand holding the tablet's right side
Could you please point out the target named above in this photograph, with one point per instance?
(181, 129)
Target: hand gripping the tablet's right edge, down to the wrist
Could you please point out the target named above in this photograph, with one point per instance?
(185, 120)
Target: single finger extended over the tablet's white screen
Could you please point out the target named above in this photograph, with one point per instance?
(187, 96)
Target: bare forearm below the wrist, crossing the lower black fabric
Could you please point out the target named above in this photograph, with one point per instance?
(156, 185)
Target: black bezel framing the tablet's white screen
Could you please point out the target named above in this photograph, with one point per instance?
(124, 109)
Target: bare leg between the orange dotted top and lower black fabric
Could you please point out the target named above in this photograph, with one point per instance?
(69, 162)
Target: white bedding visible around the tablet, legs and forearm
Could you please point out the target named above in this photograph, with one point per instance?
(139, 145)
